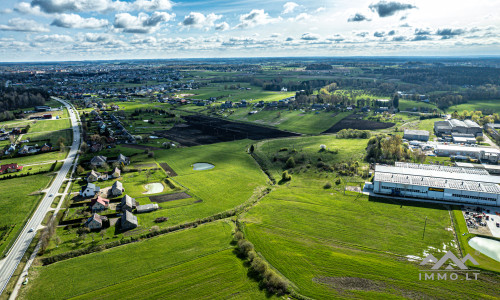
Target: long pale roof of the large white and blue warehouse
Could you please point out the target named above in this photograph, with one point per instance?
(462, 185)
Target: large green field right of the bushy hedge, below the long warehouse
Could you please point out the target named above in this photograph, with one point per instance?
(331, 245)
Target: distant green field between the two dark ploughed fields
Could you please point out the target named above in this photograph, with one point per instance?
(310, 122)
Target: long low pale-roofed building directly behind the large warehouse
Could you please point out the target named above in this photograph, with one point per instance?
(485, 154)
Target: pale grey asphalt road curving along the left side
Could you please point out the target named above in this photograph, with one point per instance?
(9, 264)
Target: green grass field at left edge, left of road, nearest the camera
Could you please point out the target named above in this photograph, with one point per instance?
(17, 202)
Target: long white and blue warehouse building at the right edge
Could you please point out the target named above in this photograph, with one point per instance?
(442, 183)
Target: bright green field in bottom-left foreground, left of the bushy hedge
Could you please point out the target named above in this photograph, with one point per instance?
(187, 263)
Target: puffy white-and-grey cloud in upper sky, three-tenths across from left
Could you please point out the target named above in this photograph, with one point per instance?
(143, 23)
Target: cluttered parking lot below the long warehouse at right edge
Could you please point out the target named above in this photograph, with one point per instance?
(482, 220)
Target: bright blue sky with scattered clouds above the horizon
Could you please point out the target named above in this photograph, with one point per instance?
(63, 30)
